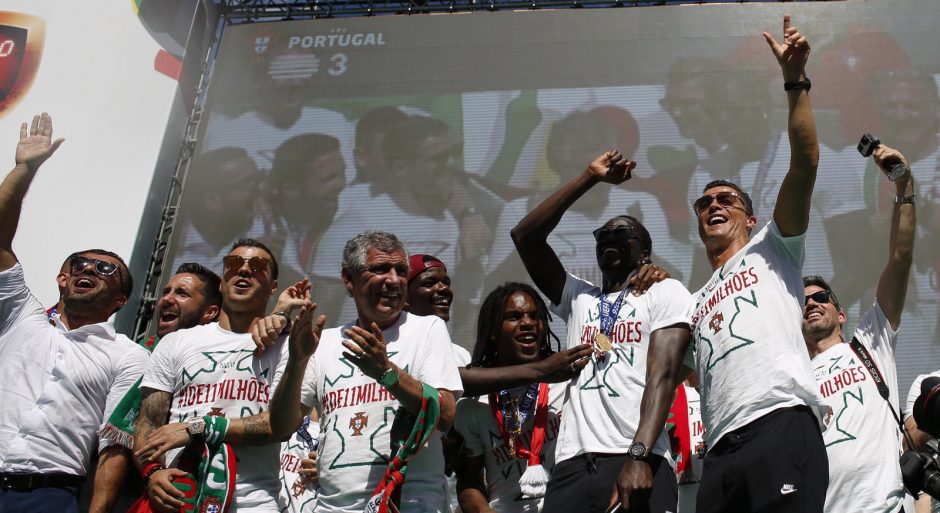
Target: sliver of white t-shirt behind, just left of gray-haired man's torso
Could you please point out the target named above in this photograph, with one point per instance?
(297, 495)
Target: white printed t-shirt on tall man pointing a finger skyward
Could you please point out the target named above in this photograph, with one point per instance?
(747, 335)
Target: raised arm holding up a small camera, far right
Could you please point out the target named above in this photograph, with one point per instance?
(892, 286)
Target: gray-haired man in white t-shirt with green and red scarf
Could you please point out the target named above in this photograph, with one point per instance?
(374, 380)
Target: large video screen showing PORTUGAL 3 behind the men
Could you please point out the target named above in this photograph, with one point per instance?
(448, 129)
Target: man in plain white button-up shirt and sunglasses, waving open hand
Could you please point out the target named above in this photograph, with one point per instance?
(62, 379)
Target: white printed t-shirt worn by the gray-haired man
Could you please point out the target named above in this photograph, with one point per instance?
(356, 415)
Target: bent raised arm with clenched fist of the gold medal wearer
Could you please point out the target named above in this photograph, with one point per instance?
(531, 234)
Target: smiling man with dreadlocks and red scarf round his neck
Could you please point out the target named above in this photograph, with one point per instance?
(512, 435)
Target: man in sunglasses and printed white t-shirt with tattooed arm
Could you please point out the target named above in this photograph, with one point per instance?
(203, 378)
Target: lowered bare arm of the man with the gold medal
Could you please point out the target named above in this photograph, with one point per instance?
(664, 373)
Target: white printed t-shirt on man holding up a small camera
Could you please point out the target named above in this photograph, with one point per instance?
(862, 438)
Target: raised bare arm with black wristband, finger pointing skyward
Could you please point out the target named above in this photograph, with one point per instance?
(791, 212)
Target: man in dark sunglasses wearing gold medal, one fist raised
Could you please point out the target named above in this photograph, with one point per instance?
(607, 453)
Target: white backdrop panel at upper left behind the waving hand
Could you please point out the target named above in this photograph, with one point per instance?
(96, 75)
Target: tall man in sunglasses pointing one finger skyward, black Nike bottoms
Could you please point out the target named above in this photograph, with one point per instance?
(765, 450)
